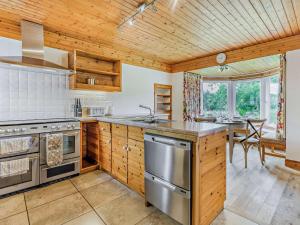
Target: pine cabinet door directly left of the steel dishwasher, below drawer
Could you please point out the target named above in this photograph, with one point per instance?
(136, 165)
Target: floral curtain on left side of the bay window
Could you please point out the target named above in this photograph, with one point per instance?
(192, 96)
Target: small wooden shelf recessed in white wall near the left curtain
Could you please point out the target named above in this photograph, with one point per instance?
(163, 99)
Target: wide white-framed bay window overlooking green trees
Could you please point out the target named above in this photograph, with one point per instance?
(256, 98)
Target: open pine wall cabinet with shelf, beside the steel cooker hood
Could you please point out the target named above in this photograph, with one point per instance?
(107, 73)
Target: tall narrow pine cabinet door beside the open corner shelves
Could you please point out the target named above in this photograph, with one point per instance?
(105, 146)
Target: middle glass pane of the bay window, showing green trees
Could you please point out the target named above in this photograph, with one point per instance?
(247, 96)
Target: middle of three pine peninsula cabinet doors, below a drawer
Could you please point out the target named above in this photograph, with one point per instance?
(119, 158)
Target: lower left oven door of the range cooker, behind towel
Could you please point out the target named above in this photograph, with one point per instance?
(21, 181)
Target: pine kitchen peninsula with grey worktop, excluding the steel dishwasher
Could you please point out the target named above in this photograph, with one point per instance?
(121, 154)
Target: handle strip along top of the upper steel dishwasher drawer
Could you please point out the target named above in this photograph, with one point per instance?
(168, 141)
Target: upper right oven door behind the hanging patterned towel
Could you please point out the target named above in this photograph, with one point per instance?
(71, 145)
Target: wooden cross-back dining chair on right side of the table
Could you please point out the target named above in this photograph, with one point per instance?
(252, 137)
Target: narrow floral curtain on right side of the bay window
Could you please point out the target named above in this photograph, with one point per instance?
(280, 131)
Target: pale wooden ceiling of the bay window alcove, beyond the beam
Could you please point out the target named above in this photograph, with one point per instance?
(249, 68)
